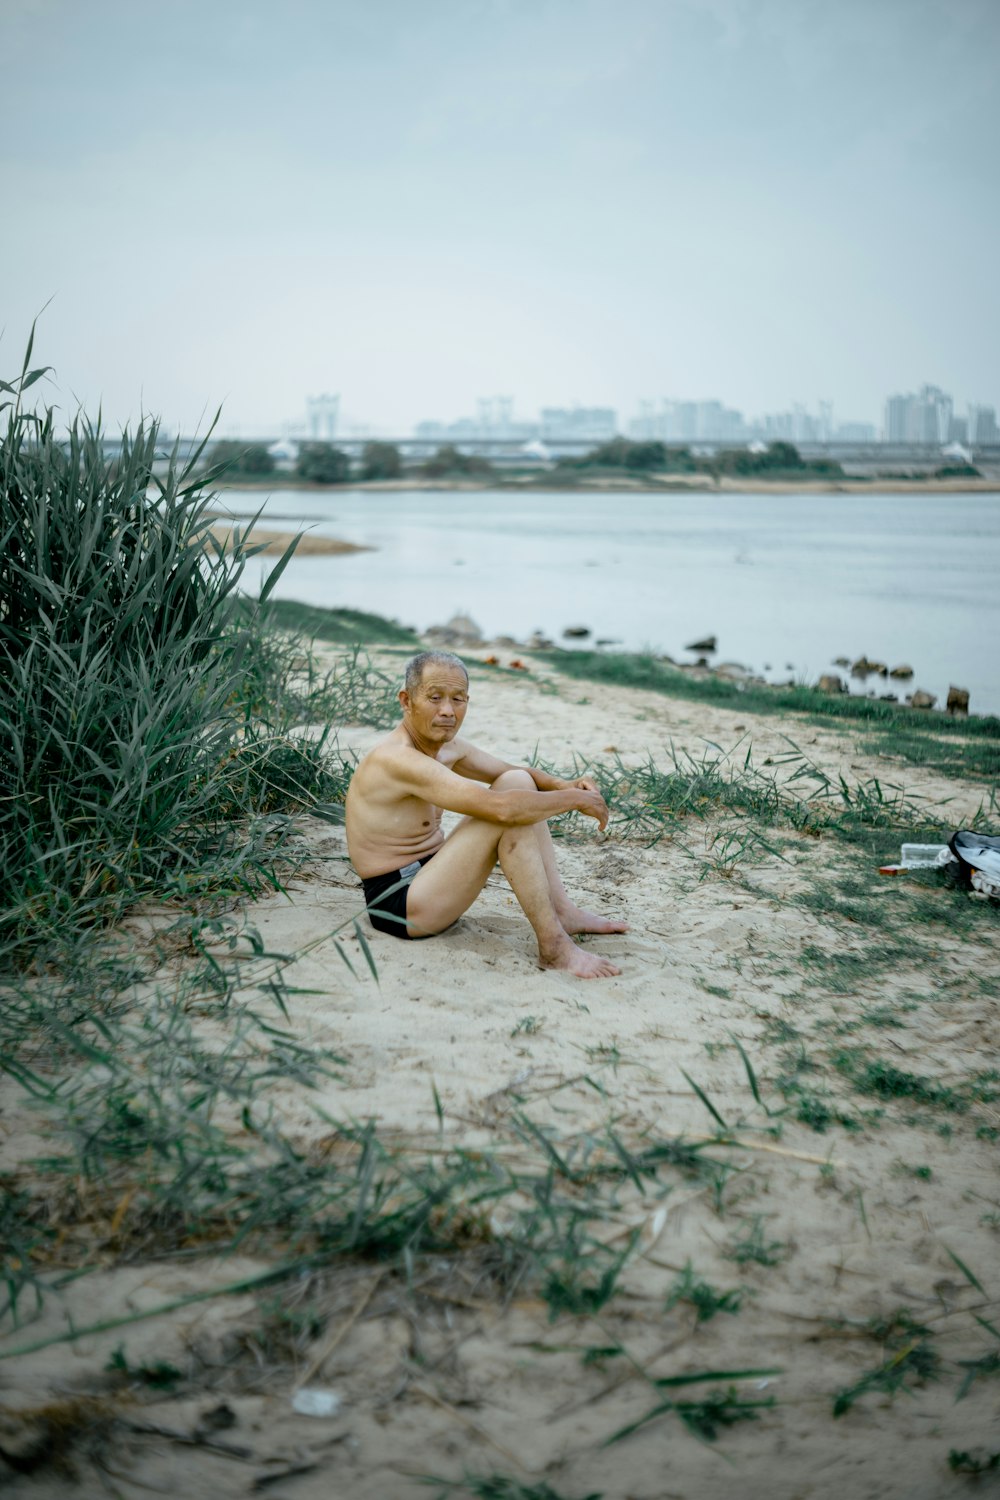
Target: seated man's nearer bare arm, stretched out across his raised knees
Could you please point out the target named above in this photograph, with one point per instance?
(428, 779)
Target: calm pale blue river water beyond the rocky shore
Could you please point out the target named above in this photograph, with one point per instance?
(786, 583)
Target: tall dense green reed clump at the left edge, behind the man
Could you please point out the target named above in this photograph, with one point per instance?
(128, 679)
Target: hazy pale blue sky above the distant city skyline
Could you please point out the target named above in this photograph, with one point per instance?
(415, 203)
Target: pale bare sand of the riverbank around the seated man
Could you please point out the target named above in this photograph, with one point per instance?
(448, 1381)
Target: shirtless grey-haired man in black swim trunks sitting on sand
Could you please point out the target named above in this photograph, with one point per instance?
(416, 881)
